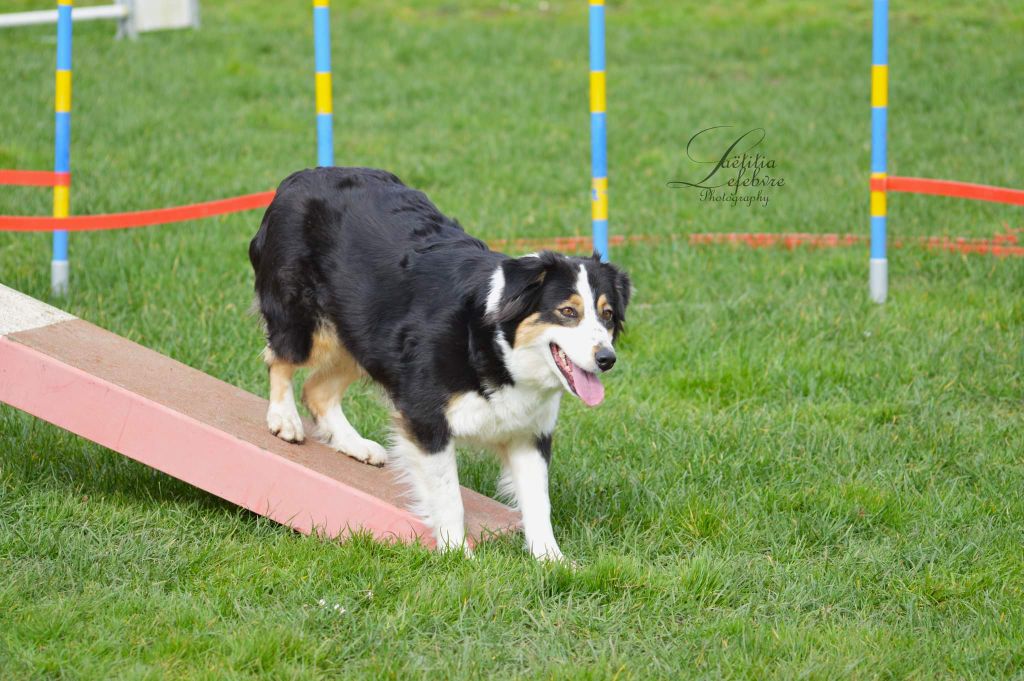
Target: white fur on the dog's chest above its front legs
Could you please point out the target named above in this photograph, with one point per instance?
(510, 413)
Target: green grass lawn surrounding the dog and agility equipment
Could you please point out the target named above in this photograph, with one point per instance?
(786, 480)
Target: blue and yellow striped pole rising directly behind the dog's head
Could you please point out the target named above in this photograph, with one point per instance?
(599, 132)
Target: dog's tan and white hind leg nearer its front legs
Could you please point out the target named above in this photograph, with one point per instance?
(334, 370)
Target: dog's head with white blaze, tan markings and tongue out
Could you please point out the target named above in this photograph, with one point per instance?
(561, 317)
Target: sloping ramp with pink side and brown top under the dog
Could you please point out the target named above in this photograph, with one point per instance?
(202, 431)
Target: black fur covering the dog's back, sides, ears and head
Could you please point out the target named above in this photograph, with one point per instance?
(405, 287)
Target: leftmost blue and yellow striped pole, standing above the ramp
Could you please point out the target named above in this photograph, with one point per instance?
(62, 148)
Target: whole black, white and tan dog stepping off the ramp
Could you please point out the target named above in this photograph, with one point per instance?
(358, 275)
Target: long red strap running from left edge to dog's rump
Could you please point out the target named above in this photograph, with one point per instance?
(137, 219)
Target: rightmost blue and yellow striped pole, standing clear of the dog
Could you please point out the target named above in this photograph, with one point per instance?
(879, 273)
